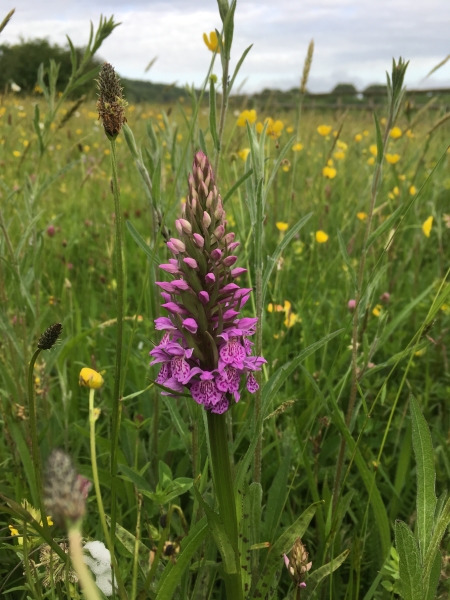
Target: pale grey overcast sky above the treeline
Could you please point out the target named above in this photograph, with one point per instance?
(355, 40)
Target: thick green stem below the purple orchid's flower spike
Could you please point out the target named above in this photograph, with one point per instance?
(224, 490)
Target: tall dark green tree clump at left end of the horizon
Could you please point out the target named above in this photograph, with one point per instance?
(19, 63)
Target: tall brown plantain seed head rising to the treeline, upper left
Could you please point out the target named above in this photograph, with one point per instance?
(110, 103)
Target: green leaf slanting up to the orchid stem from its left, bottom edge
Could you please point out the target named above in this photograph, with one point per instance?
(171, 576)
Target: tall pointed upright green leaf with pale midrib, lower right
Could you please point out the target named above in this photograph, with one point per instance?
(426, 476)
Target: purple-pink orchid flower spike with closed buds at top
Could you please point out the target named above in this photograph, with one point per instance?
(206, 346)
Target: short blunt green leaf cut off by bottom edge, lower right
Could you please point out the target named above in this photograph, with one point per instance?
(411, 574)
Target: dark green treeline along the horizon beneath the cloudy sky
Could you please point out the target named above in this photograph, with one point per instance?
(19, 64)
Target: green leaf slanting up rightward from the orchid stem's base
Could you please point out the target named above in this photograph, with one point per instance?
(274, 558)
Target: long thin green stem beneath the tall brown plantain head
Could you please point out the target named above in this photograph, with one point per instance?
(116, 409)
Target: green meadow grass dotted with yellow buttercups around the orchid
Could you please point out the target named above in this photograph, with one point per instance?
(57, 248)
